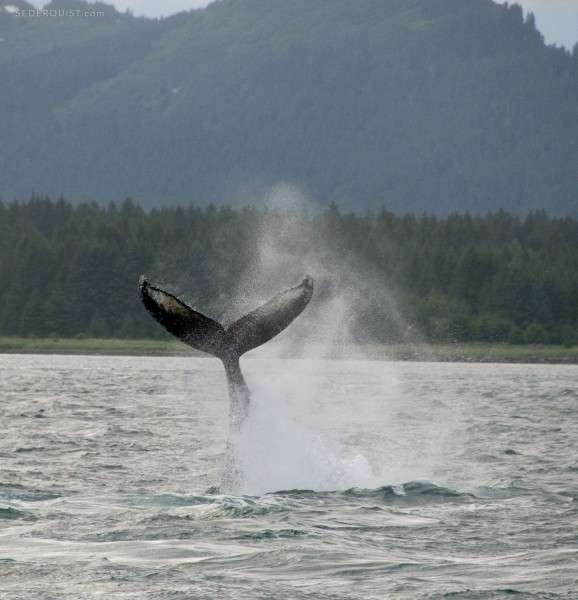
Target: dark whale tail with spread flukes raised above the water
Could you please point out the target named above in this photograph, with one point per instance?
(228, 344)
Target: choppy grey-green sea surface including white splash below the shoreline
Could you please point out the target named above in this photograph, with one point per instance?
(361, 480)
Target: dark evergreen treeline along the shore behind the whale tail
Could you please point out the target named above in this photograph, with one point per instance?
(70, 270)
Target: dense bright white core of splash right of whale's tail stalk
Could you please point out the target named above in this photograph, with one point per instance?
(285, 444)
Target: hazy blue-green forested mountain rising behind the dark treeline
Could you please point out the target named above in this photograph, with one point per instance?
(411, 105)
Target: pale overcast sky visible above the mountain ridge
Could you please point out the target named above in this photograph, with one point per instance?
(557, 19)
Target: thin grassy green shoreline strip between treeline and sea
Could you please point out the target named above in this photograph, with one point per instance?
(468, 352)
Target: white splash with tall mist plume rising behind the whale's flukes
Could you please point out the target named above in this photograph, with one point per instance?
(289, 439)
